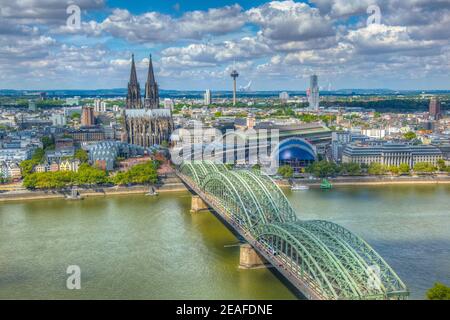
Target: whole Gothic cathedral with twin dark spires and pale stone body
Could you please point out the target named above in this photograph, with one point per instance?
(146, 124)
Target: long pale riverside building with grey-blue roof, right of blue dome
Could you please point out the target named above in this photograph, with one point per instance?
(391, 154)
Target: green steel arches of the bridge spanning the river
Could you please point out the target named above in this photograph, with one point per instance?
(331, 260)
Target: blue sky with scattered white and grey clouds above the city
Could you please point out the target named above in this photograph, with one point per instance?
(195, 44)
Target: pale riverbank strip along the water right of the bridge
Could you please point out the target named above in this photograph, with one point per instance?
(370, 181)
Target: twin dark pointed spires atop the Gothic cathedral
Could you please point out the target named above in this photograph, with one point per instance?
(151, 99)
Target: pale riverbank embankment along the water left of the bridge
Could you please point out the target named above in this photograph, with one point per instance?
(166, 185)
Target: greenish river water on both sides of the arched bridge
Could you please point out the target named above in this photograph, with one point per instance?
(138, 247)
